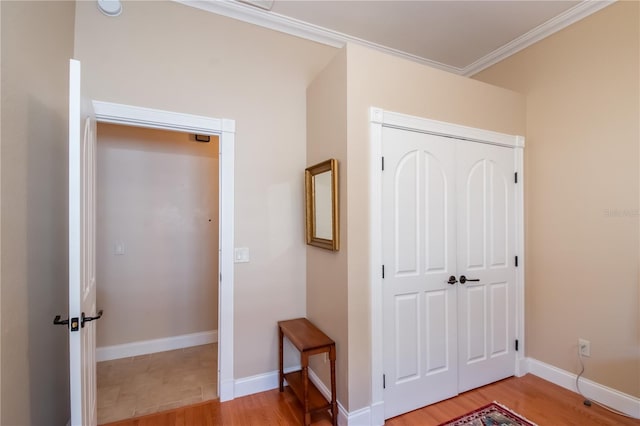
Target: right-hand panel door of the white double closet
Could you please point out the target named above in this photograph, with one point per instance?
(486, 252)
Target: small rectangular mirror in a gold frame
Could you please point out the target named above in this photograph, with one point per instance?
(321, 195)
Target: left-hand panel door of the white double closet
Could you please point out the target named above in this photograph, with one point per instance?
(419, 252)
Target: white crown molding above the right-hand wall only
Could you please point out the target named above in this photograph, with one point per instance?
(553, 25)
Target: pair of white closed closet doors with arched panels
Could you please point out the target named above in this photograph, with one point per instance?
(448, 211)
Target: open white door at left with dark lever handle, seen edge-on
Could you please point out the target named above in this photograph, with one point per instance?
(82, 282)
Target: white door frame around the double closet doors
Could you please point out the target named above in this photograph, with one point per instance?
(378, 119)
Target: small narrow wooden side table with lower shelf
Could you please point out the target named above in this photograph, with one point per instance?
(309, 340)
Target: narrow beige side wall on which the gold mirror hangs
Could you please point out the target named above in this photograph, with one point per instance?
(327, 270)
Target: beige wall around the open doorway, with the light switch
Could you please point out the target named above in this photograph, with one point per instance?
(169, 56)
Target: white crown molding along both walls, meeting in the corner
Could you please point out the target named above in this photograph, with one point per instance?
(257, 16)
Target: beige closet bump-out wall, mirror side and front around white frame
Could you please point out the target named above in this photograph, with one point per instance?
(377, 79)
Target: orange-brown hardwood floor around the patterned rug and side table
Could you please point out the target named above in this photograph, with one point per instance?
(540, 401)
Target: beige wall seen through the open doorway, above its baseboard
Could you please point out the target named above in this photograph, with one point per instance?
(158, 196)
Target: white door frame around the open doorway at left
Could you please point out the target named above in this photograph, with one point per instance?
(107, 112)
